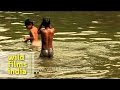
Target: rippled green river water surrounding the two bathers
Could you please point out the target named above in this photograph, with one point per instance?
(86, 44)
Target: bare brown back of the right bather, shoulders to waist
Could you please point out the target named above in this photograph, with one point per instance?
(47, 38)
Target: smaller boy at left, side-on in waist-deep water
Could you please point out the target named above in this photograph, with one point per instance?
(33, 33)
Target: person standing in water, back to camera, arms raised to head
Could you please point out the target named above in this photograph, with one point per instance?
(47, 34)
